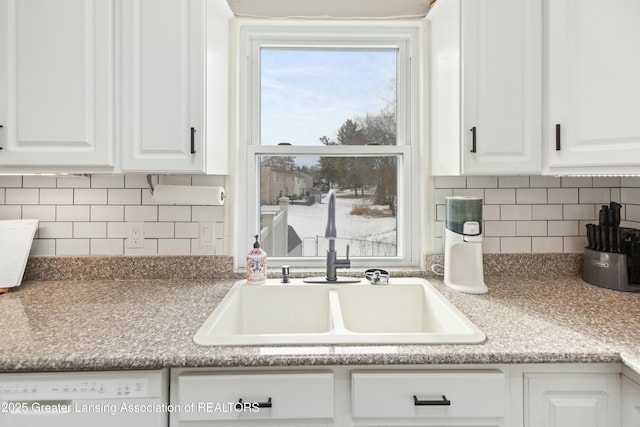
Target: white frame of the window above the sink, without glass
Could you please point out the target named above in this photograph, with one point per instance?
(402, 35)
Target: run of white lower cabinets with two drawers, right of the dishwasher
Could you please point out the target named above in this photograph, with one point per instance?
(505, 395)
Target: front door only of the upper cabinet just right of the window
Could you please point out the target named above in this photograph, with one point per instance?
(502, 86)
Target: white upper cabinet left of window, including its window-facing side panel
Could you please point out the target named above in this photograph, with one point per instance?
(168, 47)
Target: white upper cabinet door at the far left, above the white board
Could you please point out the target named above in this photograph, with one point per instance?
(57, 83)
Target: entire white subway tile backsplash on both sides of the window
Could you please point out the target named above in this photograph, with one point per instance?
(90, 215)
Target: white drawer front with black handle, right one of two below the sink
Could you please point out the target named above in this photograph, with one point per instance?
(438, 394)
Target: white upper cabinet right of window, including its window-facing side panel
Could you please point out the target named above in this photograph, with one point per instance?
(486, 87)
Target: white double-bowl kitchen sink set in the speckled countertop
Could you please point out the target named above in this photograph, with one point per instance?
(406, 311)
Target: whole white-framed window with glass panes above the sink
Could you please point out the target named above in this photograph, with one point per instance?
(330, 107)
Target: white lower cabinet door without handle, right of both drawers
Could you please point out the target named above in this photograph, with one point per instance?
(568, 400)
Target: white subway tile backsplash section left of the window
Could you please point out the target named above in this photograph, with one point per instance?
(90, 215)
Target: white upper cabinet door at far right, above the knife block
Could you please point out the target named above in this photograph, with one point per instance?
(592, 86)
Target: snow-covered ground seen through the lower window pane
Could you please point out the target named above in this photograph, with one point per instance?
(367, 236)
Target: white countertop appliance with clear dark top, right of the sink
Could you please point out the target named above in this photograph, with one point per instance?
(463, 245)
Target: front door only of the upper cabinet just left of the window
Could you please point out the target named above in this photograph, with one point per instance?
(162, 88)
